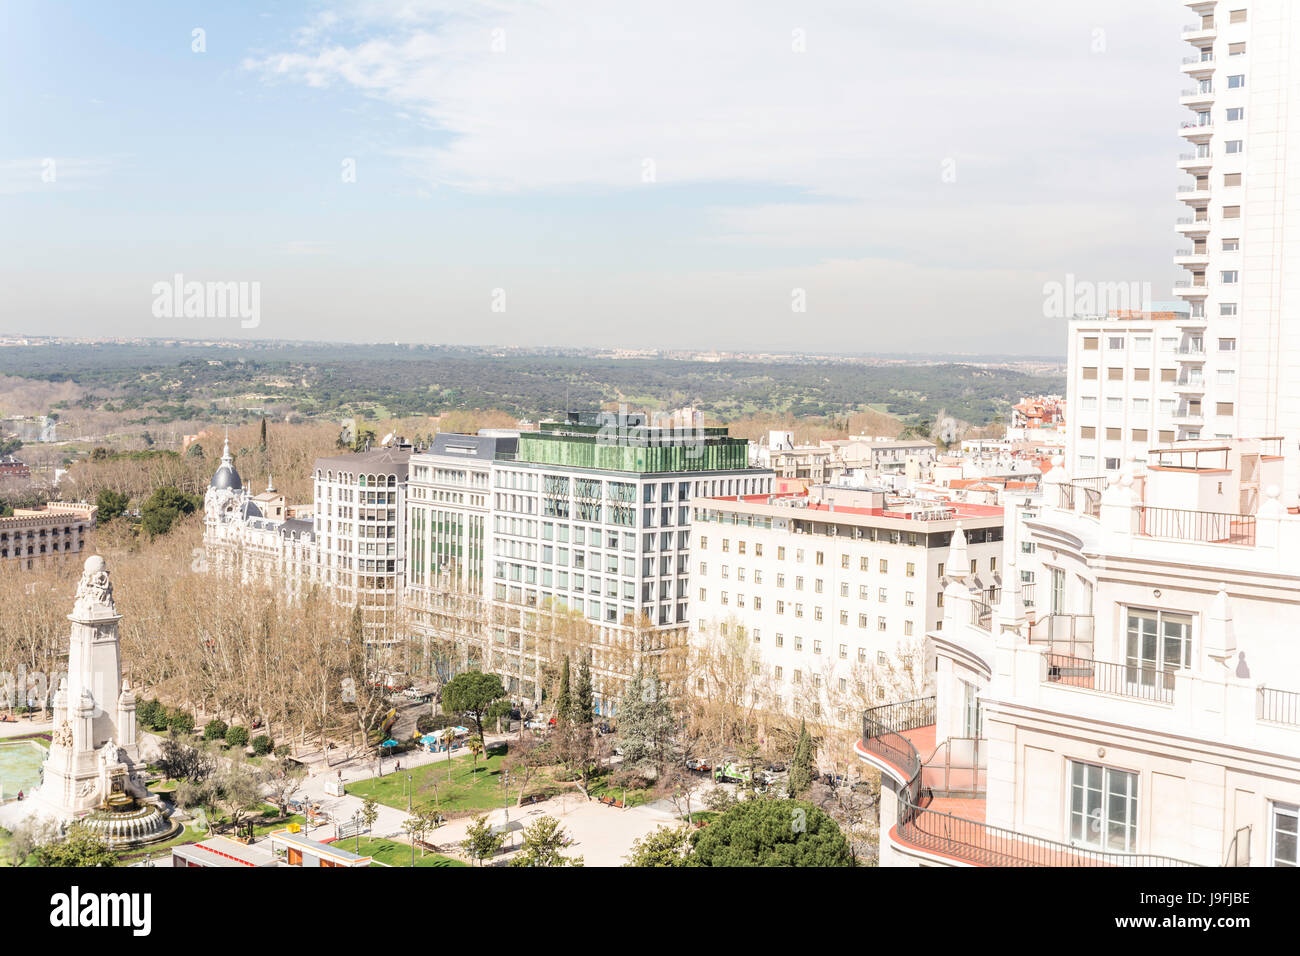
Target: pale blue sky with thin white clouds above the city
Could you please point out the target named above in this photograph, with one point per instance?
(829, 178)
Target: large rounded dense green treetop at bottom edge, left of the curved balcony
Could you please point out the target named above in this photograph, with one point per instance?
(772, 833)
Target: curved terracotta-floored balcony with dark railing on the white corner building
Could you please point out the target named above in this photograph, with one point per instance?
(951, 829)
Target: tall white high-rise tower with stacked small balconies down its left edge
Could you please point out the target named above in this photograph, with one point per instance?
(1242, 228)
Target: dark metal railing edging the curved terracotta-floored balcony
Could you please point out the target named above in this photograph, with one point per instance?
(969, 841)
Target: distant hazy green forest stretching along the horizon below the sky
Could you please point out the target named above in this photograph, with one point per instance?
(177, 383)
